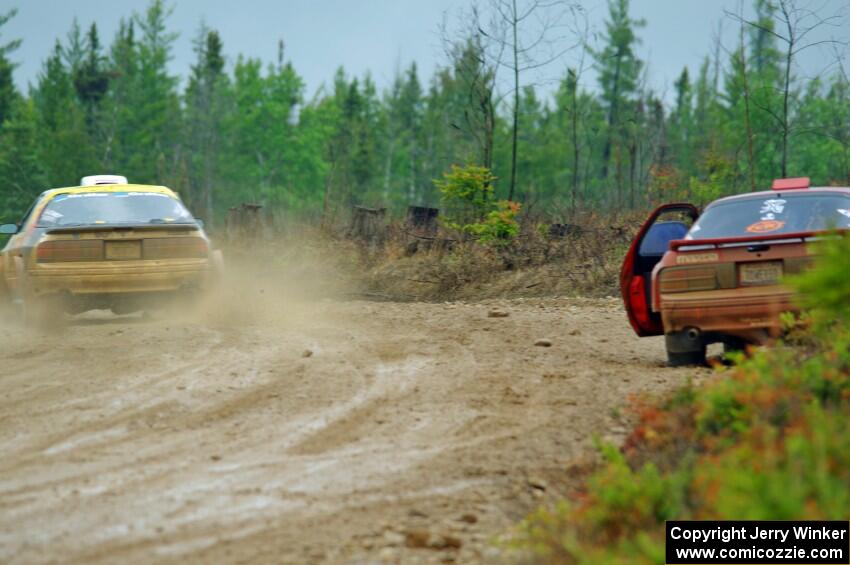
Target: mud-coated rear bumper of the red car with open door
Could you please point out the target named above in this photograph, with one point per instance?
(744, 312)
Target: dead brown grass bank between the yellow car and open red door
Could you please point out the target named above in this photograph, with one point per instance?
(400, 266)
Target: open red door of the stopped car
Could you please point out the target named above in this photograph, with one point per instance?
(666, 223)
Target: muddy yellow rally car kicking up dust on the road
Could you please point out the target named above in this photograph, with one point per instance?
(104, 245)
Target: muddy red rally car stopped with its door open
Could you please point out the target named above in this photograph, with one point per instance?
(717, 276)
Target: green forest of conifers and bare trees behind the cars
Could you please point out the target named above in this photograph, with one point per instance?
(239, 129)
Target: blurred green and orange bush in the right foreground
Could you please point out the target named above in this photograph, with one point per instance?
(764, 439)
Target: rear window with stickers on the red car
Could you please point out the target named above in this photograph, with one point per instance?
(774, 214)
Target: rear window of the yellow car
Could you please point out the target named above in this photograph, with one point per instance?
(91, 208)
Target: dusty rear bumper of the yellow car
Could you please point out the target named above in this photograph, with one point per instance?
(118, 277)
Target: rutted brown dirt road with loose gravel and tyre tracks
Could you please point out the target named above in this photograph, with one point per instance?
(328, 431)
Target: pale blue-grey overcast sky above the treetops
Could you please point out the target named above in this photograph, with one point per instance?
(374, 35)
